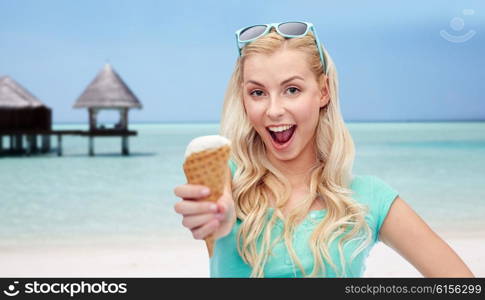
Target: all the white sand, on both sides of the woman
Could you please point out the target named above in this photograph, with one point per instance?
(183, 257)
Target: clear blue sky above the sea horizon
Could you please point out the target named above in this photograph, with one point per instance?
(406, 61)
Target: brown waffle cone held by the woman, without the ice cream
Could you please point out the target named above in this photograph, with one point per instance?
(209, 168)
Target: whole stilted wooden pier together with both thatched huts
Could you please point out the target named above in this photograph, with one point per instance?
(23, 117)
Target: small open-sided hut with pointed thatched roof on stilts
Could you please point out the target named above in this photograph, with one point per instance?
(108, 92)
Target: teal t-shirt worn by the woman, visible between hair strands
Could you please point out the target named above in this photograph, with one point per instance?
(368, 190)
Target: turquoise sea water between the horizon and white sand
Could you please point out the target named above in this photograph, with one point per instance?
(438, 168)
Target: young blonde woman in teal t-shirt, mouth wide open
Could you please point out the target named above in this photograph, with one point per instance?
(293, 207)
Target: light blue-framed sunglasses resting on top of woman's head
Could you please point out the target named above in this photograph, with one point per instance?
(248, 34)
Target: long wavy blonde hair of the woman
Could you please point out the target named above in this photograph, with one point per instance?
(257, 180)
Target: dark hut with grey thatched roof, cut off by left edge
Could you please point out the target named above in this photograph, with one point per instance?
(22, 115)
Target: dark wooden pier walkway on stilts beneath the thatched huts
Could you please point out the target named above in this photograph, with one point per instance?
(17, 138)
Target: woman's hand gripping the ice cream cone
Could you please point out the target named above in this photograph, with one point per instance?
(204, 218)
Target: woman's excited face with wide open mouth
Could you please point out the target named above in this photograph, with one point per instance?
(282, 99)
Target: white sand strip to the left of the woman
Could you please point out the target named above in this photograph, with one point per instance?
(182, 258)
